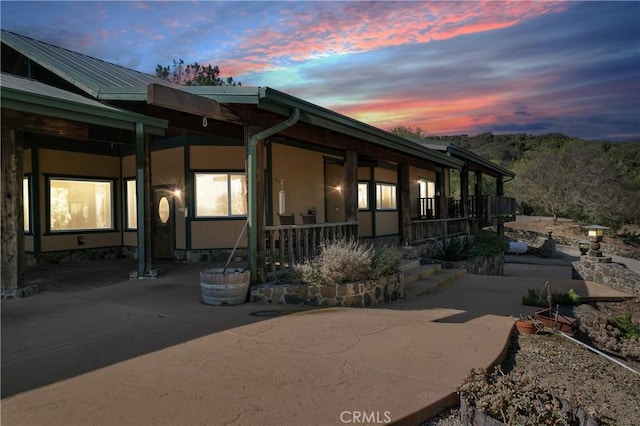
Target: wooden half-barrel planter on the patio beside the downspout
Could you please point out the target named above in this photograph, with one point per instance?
(222, 286)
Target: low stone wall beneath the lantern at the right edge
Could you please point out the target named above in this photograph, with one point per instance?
(602, 271)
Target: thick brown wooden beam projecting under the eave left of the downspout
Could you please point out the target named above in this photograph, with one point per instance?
(175, 99)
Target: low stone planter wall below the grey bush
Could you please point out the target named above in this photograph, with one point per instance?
(360, 294)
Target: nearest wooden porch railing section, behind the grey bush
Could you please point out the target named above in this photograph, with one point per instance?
(286, 245)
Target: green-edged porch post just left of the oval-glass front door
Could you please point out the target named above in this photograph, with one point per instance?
(143, 200)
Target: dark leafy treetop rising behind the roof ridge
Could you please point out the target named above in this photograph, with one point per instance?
(194, 74)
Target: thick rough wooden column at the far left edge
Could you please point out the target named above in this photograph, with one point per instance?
(12, 247)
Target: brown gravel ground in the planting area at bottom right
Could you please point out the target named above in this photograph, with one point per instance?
(604, 389)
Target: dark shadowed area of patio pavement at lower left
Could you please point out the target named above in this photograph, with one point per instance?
(88, 316)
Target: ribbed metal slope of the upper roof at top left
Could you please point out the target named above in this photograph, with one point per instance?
(87, 73)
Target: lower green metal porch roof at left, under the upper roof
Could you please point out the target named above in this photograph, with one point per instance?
(22, 94)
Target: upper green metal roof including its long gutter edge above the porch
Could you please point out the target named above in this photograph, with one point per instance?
(106, 81)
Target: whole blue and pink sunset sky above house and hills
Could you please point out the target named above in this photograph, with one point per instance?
(448, 67)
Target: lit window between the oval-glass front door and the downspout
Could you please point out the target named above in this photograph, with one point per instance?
(220, 194)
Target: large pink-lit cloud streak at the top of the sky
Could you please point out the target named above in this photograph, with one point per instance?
(349, 27)
